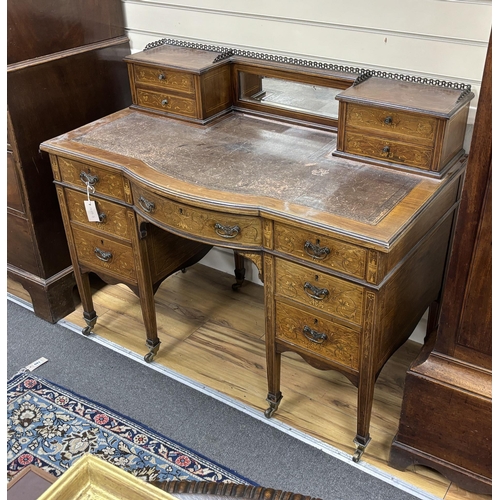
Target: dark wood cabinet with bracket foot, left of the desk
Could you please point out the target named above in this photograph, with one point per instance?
(65, 68)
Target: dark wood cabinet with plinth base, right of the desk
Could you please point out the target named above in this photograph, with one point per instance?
(446, 417)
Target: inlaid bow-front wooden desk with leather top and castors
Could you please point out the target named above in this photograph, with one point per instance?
(351, 248)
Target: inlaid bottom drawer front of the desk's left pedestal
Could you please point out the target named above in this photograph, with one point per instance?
(100, 252)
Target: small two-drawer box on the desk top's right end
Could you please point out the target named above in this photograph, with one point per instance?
(402, 124)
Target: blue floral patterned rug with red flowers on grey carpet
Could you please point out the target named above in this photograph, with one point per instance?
(51, 427)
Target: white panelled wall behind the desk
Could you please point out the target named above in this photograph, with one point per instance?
(439, 39)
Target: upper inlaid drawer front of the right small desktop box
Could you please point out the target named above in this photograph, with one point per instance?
(405, 127)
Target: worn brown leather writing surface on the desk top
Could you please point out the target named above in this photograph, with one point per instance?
(257, 157)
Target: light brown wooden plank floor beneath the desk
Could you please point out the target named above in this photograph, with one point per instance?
(214, 337)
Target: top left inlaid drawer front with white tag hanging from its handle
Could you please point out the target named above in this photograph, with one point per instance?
(99, 181)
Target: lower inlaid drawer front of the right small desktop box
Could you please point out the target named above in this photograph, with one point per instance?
(382, 149)
